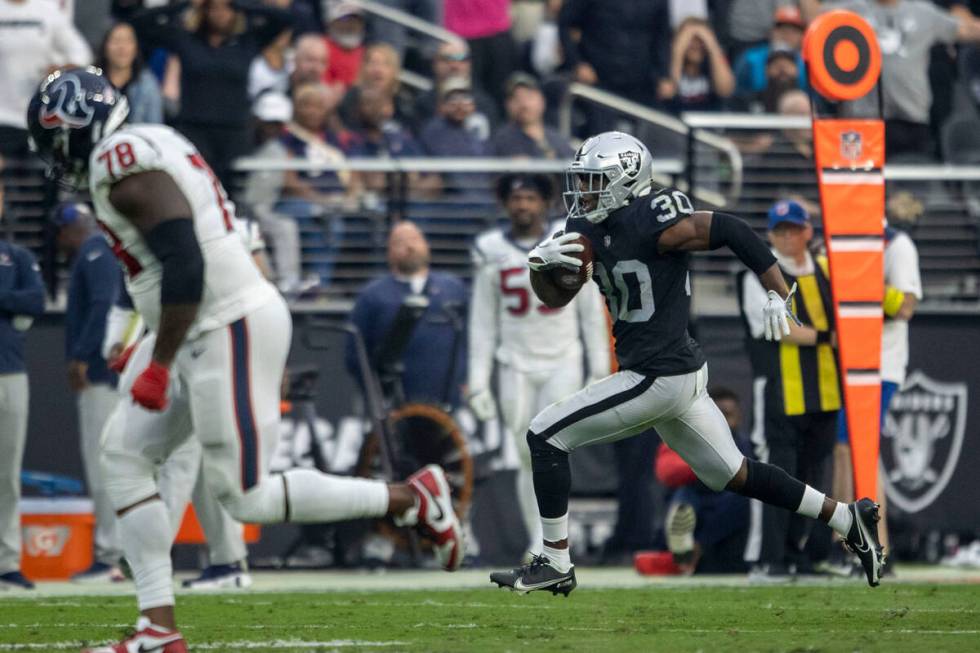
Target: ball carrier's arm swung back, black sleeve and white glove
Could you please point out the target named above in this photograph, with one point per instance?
(709, 230)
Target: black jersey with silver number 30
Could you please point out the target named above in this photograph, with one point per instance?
(648, 293)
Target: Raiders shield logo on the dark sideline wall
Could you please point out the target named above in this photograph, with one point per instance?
(922, 440)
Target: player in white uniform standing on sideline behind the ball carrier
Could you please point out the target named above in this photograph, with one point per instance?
(538, 351)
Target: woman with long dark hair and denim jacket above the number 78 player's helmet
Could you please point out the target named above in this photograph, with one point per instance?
(120, 60)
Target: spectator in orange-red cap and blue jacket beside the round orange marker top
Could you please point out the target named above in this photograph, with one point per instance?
(752, 73)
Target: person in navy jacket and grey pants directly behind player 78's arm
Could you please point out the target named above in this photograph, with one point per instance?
(92, 288)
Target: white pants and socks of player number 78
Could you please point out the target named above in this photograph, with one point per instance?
(226, 392)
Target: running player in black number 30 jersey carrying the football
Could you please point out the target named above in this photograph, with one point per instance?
(642, 240)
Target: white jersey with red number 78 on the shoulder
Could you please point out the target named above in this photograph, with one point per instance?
(233, 285)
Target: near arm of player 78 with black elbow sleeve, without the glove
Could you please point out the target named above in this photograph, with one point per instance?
(155, 205)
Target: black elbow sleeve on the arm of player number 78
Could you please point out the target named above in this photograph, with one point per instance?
(174, 243)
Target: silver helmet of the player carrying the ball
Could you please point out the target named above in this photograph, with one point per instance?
(608, 171)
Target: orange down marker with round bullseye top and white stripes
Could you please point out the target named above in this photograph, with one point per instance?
(844, 63)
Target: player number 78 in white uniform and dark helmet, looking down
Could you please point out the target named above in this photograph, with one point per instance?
(222, 332)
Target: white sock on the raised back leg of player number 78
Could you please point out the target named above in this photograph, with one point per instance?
(316, 497)
